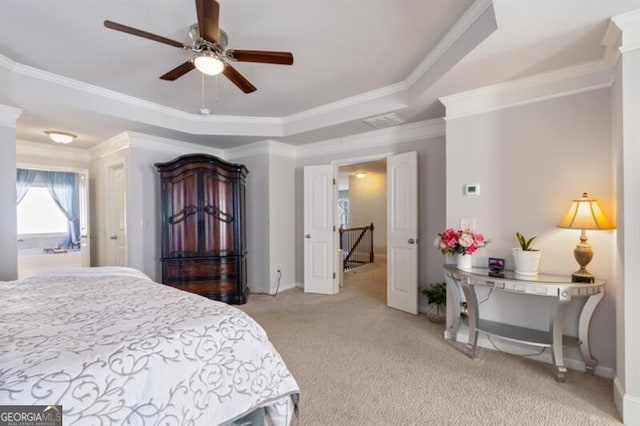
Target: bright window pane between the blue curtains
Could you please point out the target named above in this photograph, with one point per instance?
(39, 214)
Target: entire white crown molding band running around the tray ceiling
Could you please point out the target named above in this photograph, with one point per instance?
(378, 101)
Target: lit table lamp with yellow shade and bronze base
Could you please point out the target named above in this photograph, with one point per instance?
(584, 214)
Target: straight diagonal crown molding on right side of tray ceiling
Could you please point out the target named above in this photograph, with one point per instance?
(470, 16)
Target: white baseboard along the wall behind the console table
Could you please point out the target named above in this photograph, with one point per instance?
(515, 349)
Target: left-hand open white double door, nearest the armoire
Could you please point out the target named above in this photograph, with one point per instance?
(319, 255)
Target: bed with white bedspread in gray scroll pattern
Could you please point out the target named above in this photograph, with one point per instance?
(113, 347)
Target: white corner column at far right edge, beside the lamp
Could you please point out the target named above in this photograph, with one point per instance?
(625, 110)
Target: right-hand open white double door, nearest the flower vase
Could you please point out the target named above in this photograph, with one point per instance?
(402, 232)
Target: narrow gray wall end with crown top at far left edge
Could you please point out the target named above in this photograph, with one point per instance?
(8, 216)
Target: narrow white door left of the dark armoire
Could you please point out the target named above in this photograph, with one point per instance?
(117, 223)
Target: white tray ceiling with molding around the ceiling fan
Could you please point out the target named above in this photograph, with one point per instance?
(353, 59)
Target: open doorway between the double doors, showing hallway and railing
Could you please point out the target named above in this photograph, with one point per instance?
(362, 217)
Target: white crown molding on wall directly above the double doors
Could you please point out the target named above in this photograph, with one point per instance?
(377, 138)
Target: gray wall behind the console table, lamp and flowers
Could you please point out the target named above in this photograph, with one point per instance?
(530, 162)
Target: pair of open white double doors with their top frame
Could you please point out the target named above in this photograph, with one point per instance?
(321, 243)
